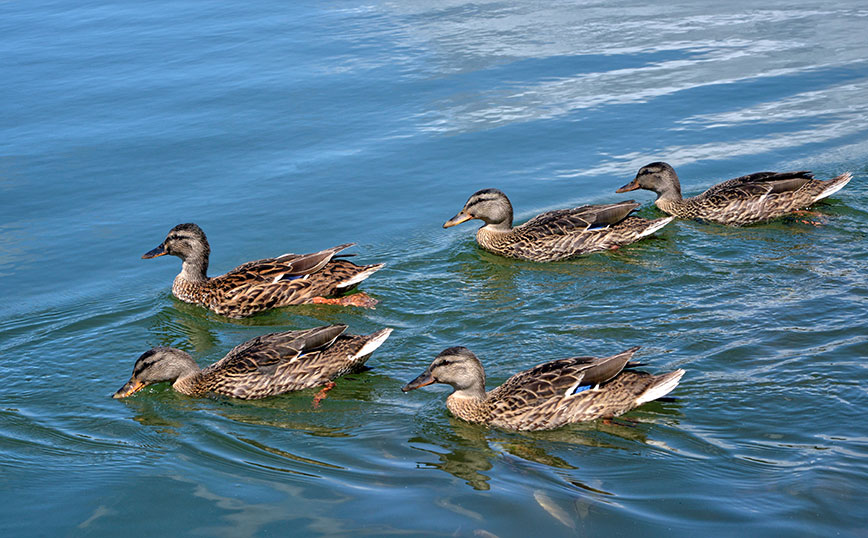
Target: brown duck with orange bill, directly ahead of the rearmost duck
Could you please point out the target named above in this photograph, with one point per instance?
(554, 235)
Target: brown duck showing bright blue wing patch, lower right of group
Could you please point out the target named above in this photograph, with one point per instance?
(548, 395)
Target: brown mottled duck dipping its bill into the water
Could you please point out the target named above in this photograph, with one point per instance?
(264, 366)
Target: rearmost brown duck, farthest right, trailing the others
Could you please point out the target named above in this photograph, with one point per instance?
(736, 202)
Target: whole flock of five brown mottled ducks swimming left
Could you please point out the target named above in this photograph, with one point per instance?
(546, 396)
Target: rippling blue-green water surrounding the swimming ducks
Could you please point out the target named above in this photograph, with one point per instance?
(297, 126)
